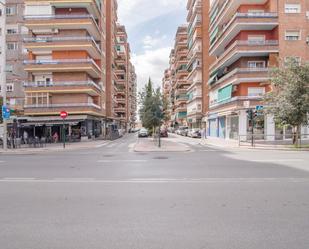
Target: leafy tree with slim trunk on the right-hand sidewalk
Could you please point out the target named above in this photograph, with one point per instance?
(289, 99)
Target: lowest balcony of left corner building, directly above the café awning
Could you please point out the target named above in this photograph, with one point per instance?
(55, 109)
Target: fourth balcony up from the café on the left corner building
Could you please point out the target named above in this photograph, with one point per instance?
(39, 44)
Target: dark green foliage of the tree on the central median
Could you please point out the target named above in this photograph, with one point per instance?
(151, 110)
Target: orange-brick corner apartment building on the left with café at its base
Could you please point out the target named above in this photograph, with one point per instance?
(65, 66)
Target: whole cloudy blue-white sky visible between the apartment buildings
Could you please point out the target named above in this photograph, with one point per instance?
(151, 27)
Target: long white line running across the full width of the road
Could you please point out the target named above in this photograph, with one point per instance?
(157, 180)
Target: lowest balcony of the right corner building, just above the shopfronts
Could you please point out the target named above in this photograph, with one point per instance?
(237, 102)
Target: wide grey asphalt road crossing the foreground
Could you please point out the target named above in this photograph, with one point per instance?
(111, 197)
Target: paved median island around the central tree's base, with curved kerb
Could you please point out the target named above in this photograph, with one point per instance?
(149, 145)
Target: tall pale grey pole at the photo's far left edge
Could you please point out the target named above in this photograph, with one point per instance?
(3, 69)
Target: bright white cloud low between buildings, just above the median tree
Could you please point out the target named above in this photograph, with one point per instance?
(151, 63)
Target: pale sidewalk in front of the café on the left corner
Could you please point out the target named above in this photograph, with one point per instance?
(57, 147)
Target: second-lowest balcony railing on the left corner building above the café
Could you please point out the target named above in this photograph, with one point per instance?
(64, 83)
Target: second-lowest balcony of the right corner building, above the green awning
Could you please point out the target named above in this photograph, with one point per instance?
(241, 75)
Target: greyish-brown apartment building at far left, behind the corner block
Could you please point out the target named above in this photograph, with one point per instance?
(15, 54)
